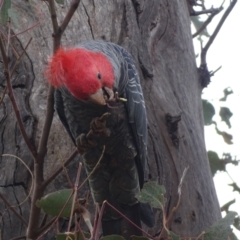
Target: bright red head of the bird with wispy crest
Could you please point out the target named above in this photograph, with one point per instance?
(82, 72)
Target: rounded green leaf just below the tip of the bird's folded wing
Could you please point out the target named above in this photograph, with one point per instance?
(152, 193)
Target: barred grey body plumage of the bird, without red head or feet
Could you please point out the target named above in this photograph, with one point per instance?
(121, 172)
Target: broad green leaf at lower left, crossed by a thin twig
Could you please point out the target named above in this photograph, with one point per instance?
(53, 203)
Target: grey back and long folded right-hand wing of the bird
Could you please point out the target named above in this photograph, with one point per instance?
(127, 83)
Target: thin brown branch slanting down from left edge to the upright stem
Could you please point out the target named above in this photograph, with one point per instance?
(12, 98)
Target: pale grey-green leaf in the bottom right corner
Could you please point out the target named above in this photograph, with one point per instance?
(221, 229)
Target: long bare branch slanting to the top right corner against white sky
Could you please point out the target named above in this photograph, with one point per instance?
(213, 36)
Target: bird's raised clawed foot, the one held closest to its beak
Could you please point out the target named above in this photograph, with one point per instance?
(98, 125)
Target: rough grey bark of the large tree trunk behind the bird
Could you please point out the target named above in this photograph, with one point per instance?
(157, 34)
